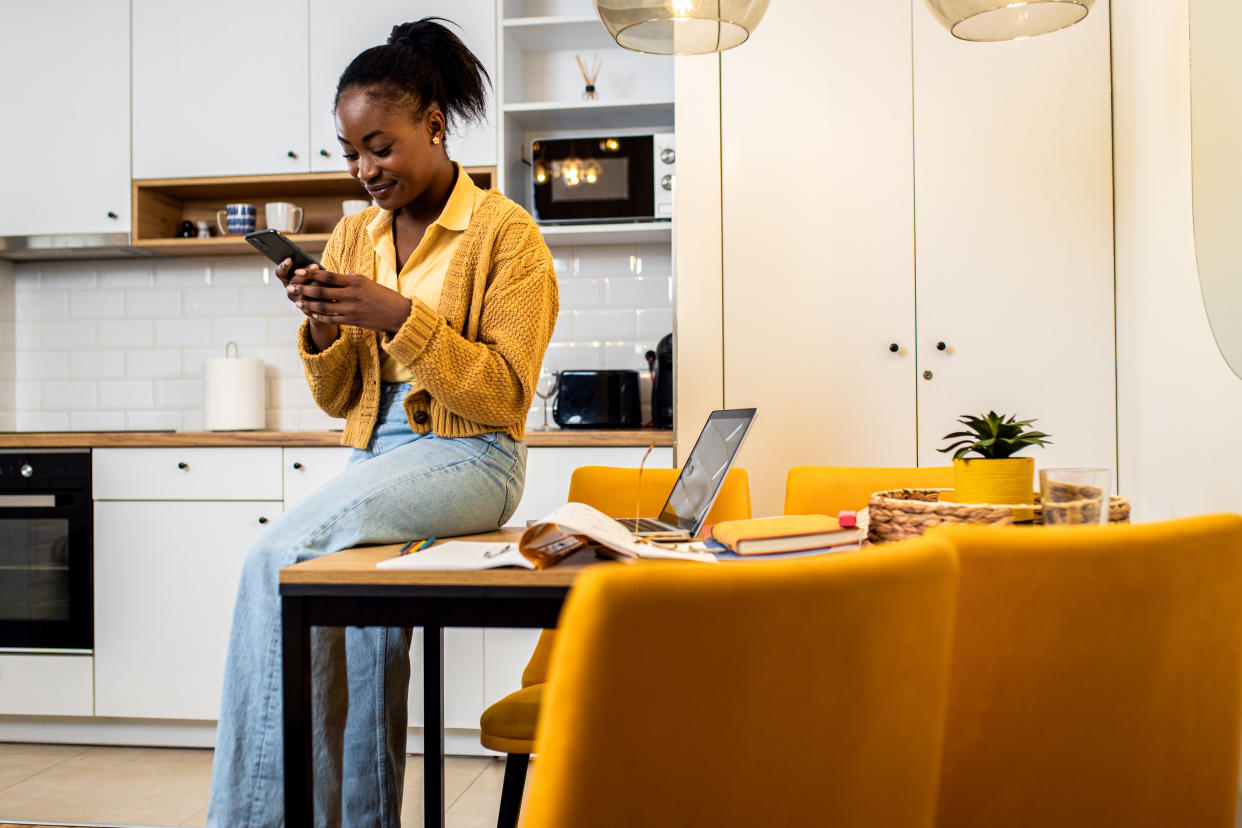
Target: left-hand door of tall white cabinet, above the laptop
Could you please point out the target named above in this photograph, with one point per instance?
(818, 232)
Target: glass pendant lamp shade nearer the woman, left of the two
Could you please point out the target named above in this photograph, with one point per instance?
(681, 27)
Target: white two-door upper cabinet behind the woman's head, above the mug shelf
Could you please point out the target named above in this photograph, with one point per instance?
(220, 92)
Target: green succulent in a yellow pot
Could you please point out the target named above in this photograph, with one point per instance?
(994, 475)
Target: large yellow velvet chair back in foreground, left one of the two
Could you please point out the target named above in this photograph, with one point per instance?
(787, 693)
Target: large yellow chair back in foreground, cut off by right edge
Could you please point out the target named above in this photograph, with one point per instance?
(1097, 677)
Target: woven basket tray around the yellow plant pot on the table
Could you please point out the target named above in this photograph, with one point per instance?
(897, 515)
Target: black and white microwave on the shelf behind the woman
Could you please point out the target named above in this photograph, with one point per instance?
(603, 179)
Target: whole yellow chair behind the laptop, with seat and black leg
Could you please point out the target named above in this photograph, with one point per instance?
(510, 724)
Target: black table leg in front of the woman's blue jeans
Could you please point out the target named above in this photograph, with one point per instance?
(299, 774)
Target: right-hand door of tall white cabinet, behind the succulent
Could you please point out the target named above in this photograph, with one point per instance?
(1015, 235)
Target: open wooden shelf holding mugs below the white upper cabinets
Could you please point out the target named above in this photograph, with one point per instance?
(161, 205)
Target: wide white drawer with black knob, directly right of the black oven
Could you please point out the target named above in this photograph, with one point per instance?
(187, 475)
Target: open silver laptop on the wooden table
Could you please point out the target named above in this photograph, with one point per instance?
(701, 479)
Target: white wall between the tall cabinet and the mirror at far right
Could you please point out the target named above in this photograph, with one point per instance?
(1179, 405)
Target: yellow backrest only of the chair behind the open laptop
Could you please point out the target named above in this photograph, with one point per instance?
(615, 492)
